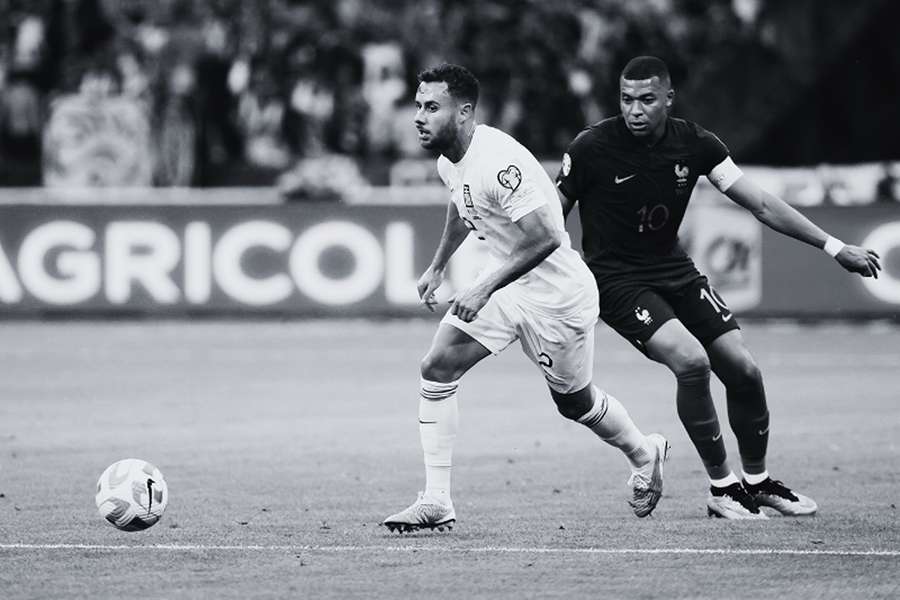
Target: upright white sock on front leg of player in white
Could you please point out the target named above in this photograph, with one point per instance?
(438, 422)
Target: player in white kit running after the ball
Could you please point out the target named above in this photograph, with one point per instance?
(535, 288)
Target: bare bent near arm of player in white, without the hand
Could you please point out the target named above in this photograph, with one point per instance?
(539, 241)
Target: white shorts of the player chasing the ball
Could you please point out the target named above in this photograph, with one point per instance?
(558, 339)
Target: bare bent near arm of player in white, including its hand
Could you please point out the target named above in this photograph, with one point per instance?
(540, 239)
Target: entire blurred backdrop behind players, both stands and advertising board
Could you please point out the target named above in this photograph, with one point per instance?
(283, 106)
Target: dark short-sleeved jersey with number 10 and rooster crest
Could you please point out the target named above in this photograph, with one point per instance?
(632, 198)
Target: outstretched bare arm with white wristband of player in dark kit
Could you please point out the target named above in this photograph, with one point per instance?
(778, 215)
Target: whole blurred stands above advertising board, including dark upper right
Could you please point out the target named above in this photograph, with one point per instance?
(212, 93)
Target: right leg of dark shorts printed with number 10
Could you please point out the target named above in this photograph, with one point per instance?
(703, 311)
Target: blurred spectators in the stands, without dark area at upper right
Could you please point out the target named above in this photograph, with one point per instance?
(238, 92)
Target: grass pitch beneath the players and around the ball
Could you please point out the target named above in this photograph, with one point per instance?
(285, 444)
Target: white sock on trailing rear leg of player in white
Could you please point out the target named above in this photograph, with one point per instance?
(610, 421)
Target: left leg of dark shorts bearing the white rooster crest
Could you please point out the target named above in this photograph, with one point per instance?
(635, 313)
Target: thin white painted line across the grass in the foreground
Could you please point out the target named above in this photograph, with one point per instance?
(460, 550)
